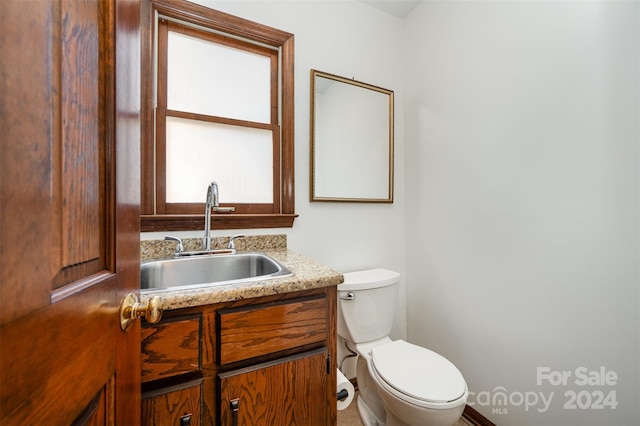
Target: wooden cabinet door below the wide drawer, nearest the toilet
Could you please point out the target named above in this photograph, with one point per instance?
(290, 391)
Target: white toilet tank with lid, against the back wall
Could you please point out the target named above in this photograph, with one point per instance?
(367, 304)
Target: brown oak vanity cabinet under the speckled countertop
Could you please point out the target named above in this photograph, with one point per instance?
(259, 361)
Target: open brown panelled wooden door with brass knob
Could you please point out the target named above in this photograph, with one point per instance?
(69, 211)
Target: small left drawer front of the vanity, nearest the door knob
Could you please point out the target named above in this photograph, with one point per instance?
(171, 348)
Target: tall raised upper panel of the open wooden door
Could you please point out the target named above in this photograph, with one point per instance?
(81, 163)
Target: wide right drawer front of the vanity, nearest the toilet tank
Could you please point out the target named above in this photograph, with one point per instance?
(259, 330)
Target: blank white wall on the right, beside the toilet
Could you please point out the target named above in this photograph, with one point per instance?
(522, 199)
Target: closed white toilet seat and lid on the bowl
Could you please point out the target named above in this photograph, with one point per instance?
(417, 375)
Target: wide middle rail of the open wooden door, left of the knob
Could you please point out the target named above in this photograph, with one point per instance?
(46, 357)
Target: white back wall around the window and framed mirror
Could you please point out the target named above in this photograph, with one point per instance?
(353, 40)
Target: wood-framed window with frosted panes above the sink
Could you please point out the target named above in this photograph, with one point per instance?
(217, 106)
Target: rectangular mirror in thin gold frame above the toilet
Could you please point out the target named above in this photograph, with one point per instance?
(351, 140)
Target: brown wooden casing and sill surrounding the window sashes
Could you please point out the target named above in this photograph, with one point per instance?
(283, 214)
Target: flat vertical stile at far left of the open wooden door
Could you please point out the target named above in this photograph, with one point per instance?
(26, 175)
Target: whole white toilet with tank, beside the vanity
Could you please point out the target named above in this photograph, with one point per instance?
(399, 383)
